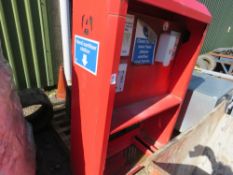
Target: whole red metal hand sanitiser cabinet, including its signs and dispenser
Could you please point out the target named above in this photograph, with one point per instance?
(111, 131)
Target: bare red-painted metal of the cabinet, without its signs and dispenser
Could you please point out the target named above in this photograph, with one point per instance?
(152, 95)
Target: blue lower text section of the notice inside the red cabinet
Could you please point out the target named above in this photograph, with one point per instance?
(143, 51)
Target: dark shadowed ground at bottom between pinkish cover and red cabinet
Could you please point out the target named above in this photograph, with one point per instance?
(52, 156)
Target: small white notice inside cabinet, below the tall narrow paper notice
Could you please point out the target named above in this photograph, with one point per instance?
(121, 77)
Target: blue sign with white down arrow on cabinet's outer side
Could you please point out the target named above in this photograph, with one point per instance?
(86, 54)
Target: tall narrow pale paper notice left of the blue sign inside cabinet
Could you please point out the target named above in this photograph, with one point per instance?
(126, 44)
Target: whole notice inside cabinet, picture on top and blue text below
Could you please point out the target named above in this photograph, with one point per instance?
(144, 44)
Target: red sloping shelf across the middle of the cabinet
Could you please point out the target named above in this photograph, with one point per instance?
(132, 114)
